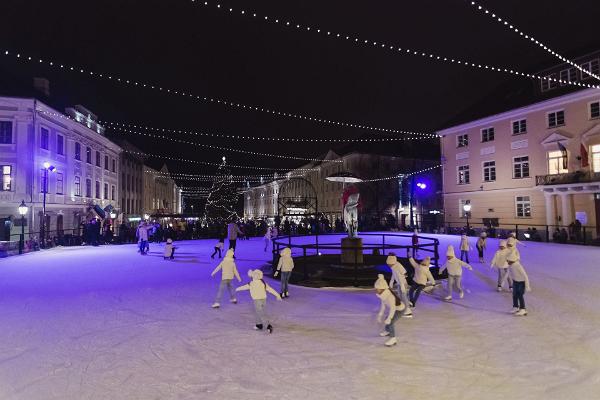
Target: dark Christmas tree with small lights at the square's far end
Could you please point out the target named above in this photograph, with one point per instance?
(222, 198)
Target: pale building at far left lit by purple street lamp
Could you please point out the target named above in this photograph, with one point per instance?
(43, 150)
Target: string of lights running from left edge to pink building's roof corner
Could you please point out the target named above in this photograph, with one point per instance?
(207, 99)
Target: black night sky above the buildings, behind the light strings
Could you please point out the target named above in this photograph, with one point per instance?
(211, 52)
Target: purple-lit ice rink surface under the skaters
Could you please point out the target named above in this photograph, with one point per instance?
(107, 323)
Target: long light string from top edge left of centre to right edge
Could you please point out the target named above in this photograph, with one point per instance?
(398, 50)
